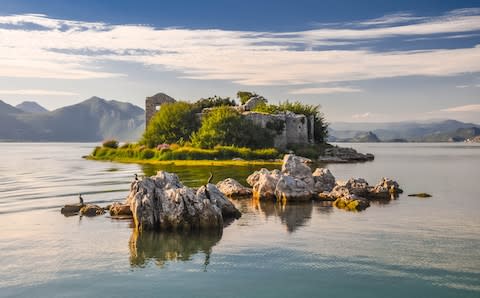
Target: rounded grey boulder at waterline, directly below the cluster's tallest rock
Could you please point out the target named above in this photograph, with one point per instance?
(293, 189)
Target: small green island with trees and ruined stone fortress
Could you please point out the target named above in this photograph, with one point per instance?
(217, 131)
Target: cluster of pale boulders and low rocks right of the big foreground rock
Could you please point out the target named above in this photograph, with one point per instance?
(296, 182)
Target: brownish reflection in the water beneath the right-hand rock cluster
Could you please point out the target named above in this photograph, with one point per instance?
(292, 215)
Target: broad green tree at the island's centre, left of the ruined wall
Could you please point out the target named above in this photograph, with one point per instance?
(225, 126)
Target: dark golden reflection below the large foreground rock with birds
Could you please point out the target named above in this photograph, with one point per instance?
(161, 248)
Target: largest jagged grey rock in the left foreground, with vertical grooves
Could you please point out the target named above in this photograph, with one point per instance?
(162, 202)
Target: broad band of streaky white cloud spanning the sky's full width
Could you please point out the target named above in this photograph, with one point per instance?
(69, 49)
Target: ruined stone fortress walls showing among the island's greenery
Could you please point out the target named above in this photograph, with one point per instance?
(288, 128)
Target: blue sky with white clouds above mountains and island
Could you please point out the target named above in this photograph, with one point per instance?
(362, 61)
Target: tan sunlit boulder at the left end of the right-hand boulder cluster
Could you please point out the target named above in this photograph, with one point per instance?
(264, 183)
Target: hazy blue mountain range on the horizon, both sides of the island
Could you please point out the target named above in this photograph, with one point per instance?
(97, 119)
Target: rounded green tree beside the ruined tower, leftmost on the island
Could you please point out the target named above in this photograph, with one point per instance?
(173, 123)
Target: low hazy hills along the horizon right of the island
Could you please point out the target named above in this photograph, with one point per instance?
(439, 131)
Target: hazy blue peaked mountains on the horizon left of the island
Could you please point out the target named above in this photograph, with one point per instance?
(92, 120)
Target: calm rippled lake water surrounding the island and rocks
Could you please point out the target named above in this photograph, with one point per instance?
(409, 247)
